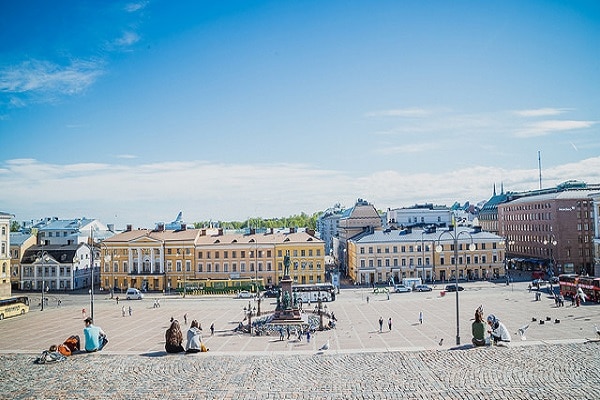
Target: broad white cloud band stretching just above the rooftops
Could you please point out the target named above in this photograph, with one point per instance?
(146, 193)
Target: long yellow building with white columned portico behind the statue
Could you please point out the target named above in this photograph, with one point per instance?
(165, 260)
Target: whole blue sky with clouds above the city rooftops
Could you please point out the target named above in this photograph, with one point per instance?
(132, 111)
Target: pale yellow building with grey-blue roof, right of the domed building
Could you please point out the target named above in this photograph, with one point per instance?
(379, 256)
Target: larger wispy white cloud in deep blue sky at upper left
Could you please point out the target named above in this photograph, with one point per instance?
(43, 81)
